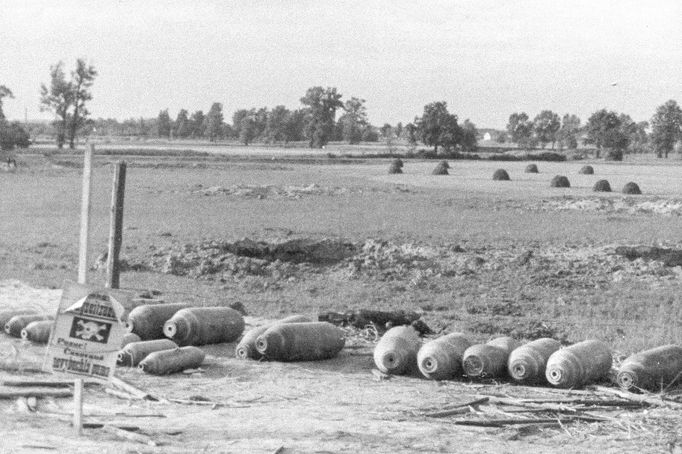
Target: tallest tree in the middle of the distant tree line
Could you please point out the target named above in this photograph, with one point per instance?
(322, 104)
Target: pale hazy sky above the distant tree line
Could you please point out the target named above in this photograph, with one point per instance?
(485, 58)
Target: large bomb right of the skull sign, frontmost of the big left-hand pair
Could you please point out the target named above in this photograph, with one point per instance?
(204, 325)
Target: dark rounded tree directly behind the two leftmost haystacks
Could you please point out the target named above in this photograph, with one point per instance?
(437, 127)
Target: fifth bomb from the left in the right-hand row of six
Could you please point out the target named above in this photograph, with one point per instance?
(579, 364)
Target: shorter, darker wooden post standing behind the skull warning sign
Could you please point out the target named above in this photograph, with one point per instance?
(116, 226)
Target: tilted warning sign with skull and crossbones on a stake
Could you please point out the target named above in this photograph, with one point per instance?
(87, 332)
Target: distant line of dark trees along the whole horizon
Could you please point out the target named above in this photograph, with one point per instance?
(316, 122)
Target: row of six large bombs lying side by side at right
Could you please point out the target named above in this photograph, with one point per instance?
(401, 351)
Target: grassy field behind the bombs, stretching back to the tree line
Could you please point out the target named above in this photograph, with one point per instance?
(473, 255)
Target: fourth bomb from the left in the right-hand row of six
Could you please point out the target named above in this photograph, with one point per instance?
(527, 363)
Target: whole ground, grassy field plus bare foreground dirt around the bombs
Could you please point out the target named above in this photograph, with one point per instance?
(473, 255)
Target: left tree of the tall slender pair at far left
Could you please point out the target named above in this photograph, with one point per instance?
(58, 98)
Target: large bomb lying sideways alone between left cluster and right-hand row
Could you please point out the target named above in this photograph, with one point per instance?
(310, 341)
